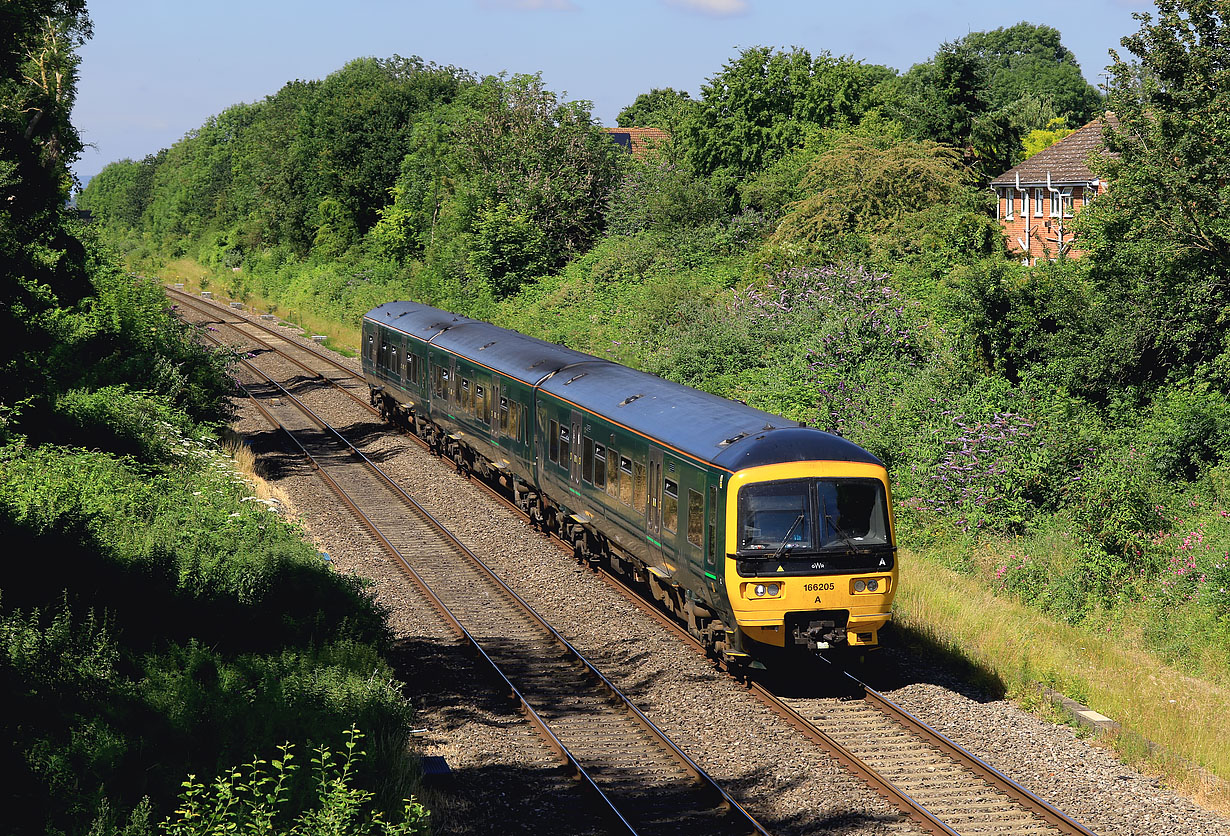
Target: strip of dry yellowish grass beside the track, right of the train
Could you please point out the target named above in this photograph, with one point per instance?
(1184, 716)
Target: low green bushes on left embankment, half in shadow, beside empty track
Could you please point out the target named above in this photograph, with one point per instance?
(183, 624)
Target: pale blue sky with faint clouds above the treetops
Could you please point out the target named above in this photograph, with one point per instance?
(158, 69)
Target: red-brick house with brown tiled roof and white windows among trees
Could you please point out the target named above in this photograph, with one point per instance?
(1039, 199)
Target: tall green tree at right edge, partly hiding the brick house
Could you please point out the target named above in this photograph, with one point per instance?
(1161, 238)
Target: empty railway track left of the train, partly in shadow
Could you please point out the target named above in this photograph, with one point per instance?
(640, 780)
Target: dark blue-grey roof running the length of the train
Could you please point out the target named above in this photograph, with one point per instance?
(707, 427)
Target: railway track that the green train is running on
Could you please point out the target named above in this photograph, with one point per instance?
(938, 784)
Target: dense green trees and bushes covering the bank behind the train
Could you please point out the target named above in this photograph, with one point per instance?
(816, 239)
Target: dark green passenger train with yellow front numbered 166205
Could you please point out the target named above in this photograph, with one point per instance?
(764, 537)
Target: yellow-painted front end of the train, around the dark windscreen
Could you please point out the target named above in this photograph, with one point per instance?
(762, 604)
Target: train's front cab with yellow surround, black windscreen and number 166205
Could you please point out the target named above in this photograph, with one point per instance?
(811, 560)
